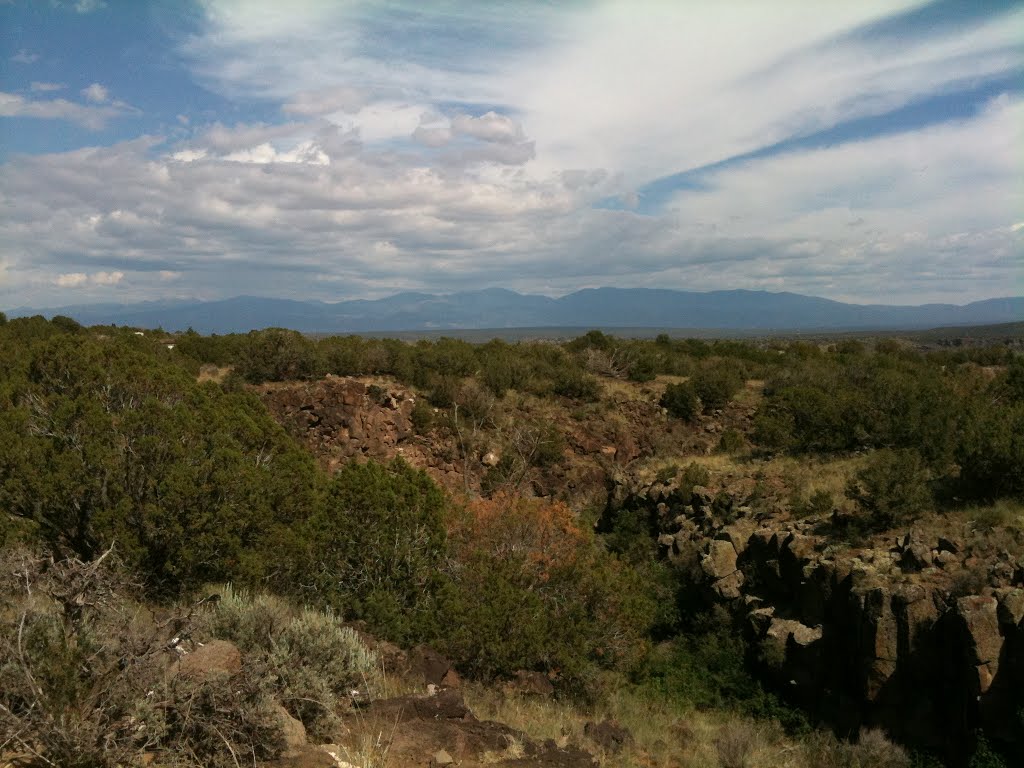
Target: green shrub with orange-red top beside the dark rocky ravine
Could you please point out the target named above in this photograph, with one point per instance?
(530, 591)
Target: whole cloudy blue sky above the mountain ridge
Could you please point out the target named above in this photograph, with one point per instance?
(870, 152)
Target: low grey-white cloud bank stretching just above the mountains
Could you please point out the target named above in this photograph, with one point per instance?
(852, 222)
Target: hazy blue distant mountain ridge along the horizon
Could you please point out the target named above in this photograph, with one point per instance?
(497, 308)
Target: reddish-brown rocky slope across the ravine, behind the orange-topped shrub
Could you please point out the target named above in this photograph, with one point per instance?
(343, 418)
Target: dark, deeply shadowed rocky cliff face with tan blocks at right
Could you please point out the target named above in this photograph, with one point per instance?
(922, 635)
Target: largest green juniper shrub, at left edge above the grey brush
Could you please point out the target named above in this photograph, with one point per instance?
(102, 441)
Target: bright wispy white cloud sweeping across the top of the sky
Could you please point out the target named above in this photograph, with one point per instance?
(644, 96)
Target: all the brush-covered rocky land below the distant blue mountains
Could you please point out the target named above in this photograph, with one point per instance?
(267, 550)
